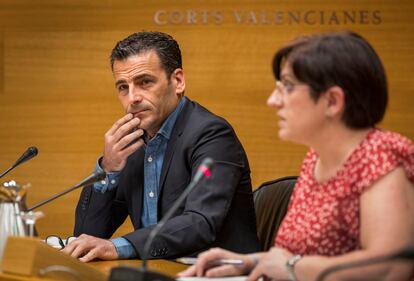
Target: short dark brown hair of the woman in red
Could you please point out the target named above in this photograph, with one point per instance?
(343, 59)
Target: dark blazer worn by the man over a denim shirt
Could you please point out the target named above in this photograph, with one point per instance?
(217, 213)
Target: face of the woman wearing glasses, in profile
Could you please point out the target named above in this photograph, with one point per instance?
(300, 117)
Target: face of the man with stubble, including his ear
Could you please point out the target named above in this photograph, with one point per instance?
(145, 90)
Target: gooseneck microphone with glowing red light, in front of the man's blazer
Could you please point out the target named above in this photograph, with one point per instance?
(125, 273)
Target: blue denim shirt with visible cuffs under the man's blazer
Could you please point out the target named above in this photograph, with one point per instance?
(154, 157)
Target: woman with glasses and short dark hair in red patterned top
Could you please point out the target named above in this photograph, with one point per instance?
(354, 199)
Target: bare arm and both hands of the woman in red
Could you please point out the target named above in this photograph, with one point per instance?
(387, 225)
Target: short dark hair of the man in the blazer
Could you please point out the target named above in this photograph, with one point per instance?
(164, 45)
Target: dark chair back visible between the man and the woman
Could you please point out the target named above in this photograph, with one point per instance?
(271, 200)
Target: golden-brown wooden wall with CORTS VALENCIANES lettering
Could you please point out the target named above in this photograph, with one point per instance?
(57, 93)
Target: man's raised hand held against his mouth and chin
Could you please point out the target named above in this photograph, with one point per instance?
(121, 140)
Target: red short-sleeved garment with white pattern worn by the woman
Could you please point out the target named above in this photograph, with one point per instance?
(323, 218)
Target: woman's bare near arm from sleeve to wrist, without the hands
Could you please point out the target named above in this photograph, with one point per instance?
(387, 225)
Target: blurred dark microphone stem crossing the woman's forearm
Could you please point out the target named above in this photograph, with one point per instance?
(406, 253)
